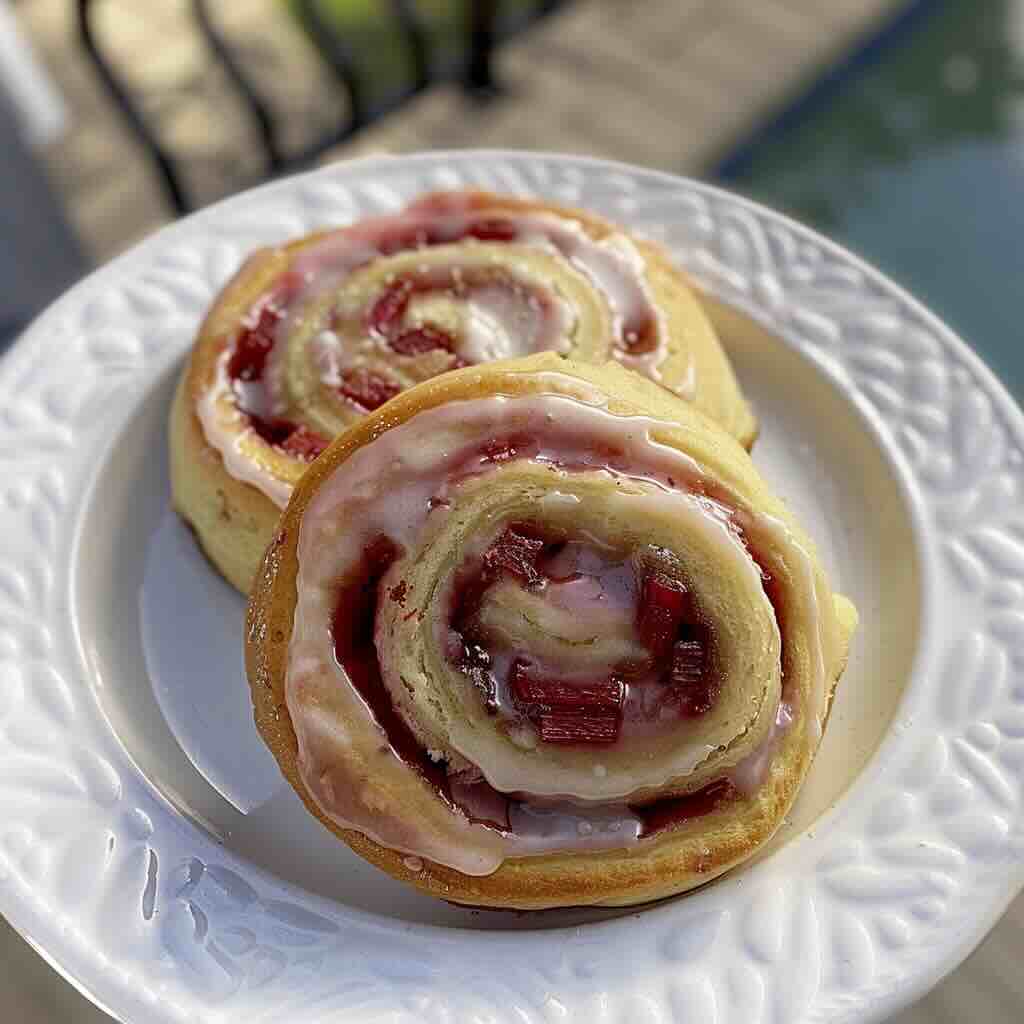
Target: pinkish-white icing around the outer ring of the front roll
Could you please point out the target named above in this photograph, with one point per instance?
(381, 796)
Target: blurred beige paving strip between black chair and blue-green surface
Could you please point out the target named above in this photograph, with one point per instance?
(672, 87)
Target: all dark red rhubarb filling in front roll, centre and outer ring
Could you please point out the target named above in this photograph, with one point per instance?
(670, 676)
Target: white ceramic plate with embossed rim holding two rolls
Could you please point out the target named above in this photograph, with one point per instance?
(148, 847)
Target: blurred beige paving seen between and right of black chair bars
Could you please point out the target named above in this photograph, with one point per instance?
(668, 83)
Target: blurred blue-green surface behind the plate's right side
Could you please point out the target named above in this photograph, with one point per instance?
(916, 161)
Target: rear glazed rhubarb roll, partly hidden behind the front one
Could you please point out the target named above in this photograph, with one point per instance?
(311, 337)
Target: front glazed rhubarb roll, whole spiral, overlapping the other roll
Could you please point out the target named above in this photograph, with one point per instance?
(539, 635)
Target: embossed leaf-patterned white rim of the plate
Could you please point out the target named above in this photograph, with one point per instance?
(145, 911)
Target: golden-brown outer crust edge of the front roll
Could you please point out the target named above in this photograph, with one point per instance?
(679, 860)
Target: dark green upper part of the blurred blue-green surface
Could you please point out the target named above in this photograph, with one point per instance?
(960, 78)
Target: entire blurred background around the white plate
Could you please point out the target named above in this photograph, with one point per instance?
(894, 126)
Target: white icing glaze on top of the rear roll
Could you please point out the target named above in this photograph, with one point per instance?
(614, 266)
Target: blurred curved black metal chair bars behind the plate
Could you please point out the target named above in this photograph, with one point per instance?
(485, 30)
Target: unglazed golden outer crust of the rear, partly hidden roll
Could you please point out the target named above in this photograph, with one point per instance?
(234, 521)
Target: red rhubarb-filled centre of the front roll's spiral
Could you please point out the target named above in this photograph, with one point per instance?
(666, 666)
